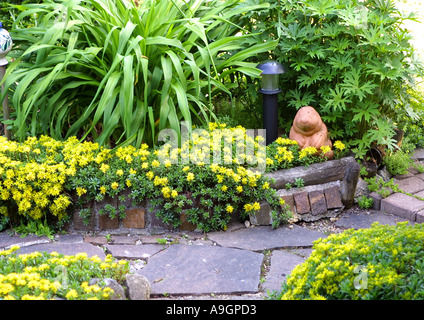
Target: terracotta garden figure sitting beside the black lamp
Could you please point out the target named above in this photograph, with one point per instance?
(310, 131)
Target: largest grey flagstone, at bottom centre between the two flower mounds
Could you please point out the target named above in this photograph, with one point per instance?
(185, 269)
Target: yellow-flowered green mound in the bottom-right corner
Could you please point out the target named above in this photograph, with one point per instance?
(379, 263)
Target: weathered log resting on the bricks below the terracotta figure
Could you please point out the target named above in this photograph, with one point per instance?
(317, 173)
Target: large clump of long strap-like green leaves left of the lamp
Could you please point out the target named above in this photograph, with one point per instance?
(121, 71)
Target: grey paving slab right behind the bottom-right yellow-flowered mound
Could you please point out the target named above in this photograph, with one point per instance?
(363, 220)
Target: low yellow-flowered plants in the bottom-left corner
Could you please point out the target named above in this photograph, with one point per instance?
(43, 276)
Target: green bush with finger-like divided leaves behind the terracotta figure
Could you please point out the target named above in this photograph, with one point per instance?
(351, 60)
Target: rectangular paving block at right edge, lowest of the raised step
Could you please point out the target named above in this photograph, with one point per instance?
(402, 205)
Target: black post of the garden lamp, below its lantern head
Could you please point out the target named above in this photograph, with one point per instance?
(270, 114)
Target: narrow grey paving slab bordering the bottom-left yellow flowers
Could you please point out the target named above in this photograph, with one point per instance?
(65, 249)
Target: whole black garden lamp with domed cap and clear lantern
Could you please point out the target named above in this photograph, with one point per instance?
(270, 90)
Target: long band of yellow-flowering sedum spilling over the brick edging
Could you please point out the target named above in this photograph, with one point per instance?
(214, 174)
